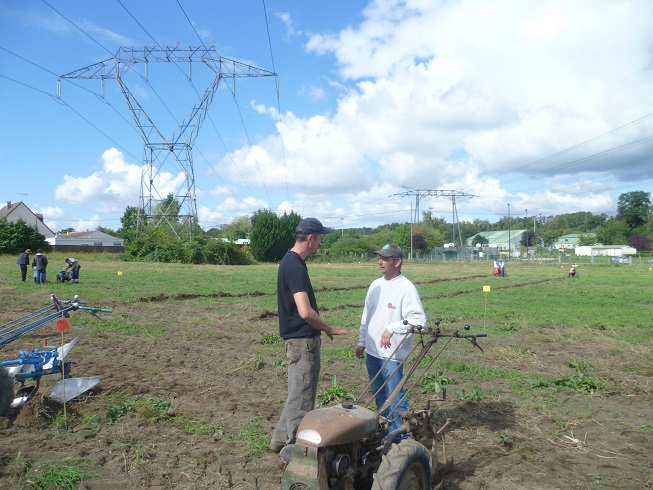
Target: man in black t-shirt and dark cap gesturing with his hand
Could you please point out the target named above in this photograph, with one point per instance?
(300, 325)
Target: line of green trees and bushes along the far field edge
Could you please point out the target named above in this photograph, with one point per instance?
(166, 236)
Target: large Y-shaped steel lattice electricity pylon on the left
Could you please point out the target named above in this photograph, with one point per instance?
(157, 147)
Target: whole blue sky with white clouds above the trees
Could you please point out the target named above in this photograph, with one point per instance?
(369, 111)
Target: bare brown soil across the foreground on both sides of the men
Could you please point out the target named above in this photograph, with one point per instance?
(221, 384)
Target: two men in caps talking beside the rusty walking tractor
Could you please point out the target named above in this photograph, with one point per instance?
(383, 339)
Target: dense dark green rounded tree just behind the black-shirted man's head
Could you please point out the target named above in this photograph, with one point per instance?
(272, 235)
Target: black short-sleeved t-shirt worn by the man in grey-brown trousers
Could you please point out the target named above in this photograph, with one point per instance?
(293, 278)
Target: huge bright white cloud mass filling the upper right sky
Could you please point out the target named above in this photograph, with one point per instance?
(507, 87)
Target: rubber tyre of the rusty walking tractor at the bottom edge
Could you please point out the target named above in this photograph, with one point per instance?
(407, 466)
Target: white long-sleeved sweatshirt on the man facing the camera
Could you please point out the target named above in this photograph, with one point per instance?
(387, 305)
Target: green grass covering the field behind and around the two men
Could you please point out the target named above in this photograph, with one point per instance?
(553, 344)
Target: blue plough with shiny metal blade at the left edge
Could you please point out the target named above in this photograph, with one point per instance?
(28, 366)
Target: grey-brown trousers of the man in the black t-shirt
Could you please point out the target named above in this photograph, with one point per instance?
(303, 358)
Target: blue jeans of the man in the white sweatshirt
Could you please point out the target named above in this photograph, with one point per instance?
(374, 365)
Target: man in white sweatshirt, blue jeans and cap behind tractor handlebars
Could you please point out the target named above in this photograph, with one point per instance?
(390, 300)
